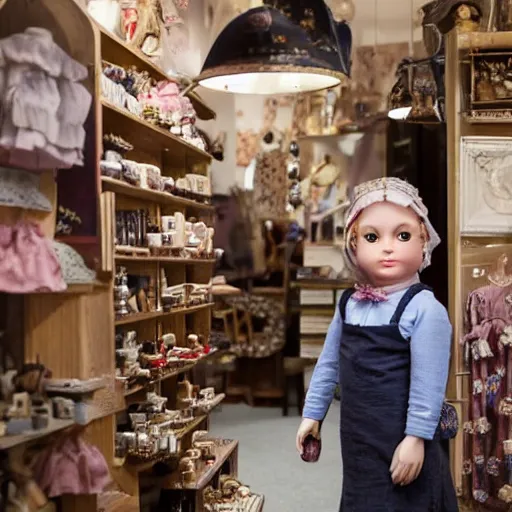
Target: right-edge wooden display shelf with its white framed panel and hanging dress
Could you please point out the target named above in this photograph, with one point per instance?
(480, 225)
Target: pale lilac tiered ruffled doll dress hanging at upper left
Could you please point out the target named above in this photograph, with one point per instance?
(42, 104)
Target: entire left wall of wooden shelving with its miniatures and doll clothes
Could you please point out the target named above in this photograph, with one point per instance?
(107, 301)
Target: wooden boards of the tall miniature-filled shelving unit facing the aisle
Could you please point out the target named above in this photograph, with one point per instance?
(175, 157)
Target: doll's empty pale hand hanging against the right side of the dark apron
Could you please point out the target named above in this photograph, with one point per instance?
(407, 460)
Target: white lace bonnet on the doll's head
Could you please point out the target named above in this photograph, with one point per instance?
(395, 191)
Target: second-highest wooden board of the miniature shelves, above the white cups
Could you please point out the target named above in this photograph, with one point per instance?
(153, 138)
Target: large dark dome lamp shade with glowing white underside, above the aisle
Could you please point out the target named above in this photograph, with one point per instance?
(268, 51)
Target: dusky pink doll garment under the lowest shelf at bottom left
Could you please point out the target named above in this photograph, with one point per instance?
(71, 467)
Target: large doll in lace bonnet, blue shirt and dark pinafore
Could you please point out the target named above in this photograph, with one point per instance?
(388, 346)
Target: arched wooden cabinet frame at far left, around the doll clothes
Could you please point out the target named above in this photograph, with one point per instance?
(69, 332)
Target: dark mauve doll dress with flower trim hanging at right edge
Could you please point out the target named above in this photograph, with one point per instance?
(489, 357)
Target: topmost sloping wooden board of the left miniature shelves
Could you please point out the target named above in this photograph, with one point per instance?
(116, 51)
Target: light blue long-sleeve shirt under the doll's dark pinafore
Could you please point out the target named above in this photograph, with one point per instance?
(426, 325)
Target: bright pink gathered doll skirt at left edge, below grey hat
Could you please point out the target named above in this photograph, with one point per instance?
(28, 263)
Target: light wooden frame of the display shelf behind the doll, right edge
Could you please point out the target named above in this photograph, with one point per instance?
(459, 393)
